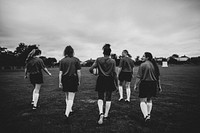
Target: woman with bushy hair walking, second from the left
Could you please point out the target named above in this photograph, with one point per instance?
(69, 77)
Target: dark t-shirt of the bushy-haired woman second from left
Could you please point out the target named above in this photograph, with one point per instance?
(69, 66)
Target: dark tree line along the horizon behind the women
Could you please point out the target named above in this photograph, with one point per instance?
(17, 58)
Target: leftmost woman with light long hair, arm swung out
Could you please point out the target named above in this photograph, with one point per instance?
(34, 66)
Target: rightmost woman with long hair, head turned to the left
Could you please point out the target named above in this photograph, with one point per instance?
(147, 80)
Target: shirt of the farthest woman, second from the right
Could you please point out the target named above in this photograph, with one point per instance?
(126, 64)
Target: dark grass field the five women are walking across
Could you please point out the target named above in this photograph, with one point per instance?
(176, 109)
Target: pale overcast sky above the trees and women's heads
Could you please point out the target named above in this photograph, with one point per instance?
(163, 27)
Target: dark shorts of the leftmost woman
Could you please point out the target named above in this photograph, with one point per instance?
(36, 78)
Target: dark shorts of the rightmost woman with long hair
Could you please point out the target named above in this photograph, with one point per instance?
(147, 89)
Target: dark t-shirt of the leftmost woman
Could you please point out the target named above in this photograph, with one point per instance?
(35, 65)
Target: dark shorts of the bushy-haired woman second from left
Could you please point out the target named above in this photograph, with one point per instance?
(70, 83)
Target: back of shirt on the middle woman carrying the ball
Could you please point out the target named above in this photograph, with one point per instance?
(106, 66)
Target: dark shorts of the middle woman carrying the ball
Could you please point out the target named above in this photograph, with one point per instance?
(105, 84)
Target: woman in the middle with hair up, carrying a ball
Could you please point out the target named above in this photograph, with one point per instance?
(105, 81)
